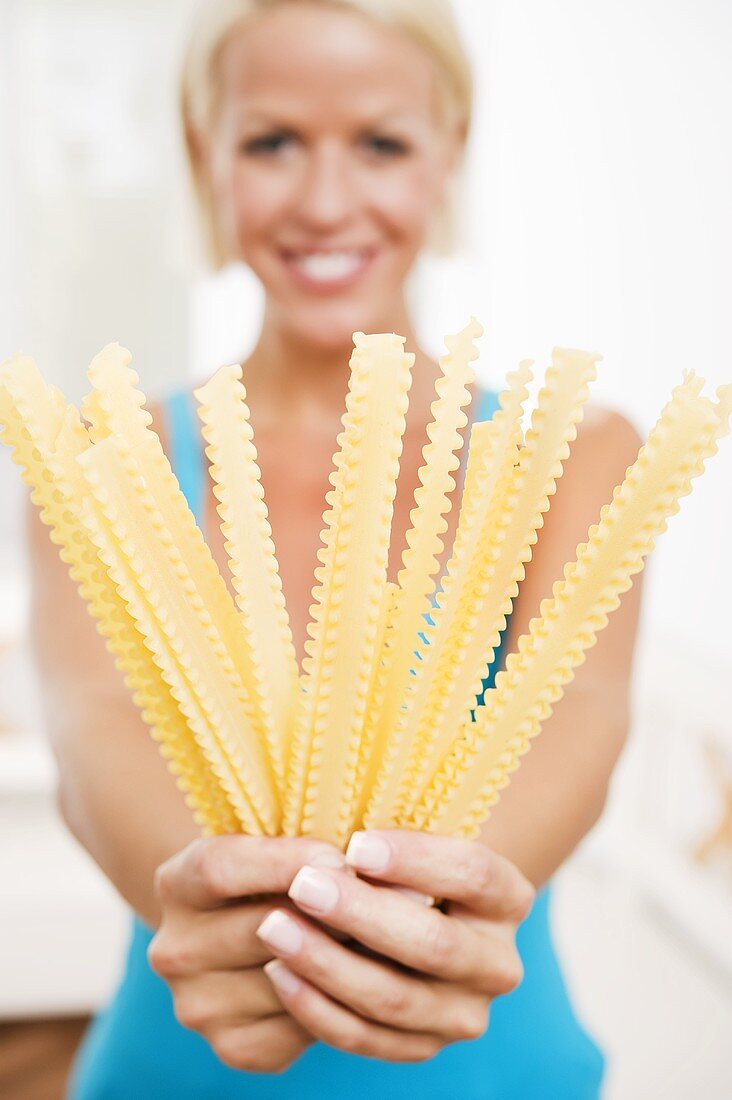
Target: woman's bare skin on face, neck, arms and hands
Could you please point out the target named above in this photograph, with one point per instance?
(308, 151)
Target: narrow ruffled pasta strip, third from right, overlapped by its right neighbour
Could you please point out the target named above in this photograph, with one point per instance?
(493, 447)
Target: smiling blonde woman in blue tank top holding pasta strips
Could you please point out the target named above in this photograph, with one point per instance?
(324, 139)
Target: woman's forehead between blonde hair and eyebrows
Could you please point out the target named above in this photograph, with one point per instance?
(305, 59)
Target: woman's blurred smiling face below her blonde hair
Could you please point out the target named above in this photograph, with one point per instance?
(327, 162)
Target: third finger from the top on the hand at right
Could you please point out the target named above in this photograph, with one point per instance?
(374, 989)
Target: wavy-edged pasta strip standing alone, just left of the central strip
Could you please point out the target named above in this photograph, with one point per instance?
(255, 573)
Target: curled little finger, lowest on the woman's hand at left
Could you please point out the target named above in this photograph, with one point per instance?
(268, 1047)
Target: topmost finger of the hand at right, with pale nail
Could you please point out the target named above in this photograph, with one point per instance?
(466, 872)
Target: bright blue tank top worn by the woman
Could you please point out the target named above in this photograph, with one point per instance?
(534, 1048)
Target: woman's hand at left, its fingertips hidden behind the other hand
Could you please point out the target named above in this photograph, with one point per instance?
(213, 897)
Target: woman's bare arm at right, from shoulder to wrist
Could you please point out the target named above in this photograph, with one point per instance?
(561, 788)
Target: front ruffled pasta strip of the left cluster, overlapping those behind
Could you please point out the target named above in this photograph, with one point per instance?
(151, 576)
